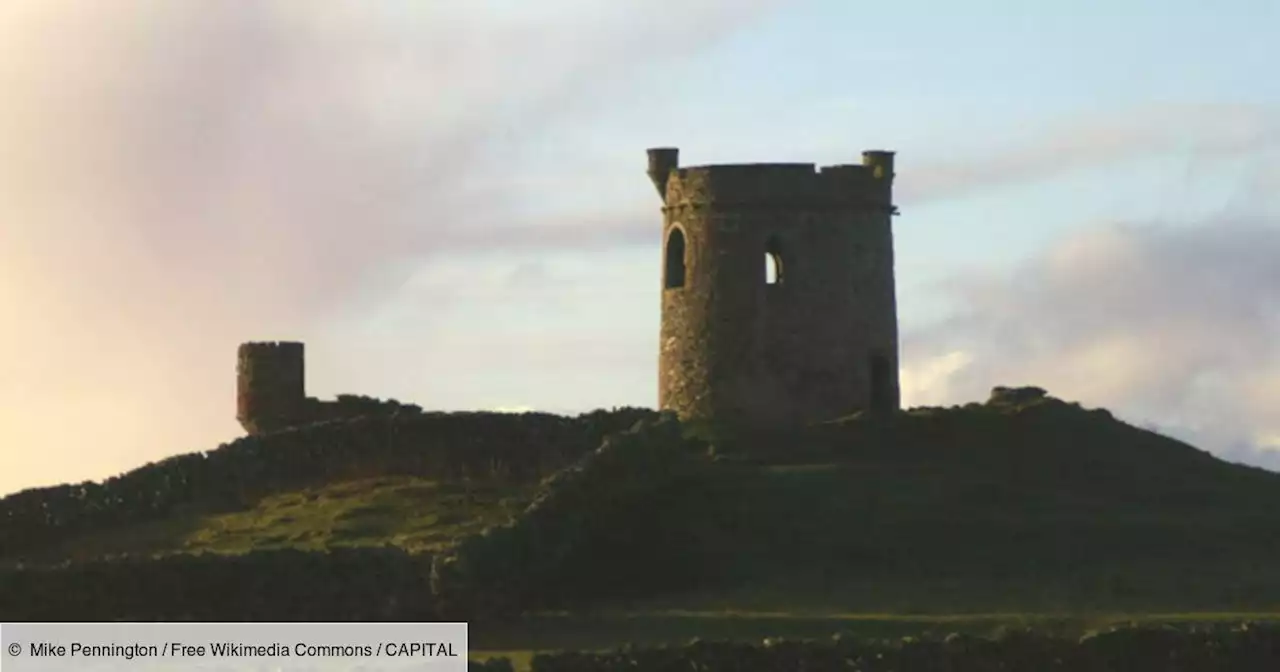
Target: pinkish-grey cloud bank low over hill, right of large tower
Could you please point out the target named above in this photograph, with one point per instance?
(1178, 327)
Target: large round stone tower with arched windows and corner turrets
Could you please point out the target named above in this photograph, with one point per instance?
(779, 303)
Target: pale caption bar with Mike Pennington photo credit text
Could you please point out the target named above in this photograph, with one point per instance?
(234, 647)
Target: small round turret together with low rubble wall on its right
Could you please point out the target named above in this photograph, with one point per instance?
(272, 392)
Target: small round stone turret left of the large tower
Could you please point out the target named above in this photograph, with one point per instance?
(271, 386)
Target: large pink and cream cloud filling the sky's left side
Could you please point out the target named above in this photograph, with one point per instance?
(180, 177)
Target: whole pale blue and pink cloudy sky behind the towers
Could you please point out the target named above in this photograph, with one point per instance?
(447, 202)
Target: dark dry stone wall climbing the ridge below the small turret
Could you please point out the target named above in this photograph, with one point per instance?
(428, 445)
